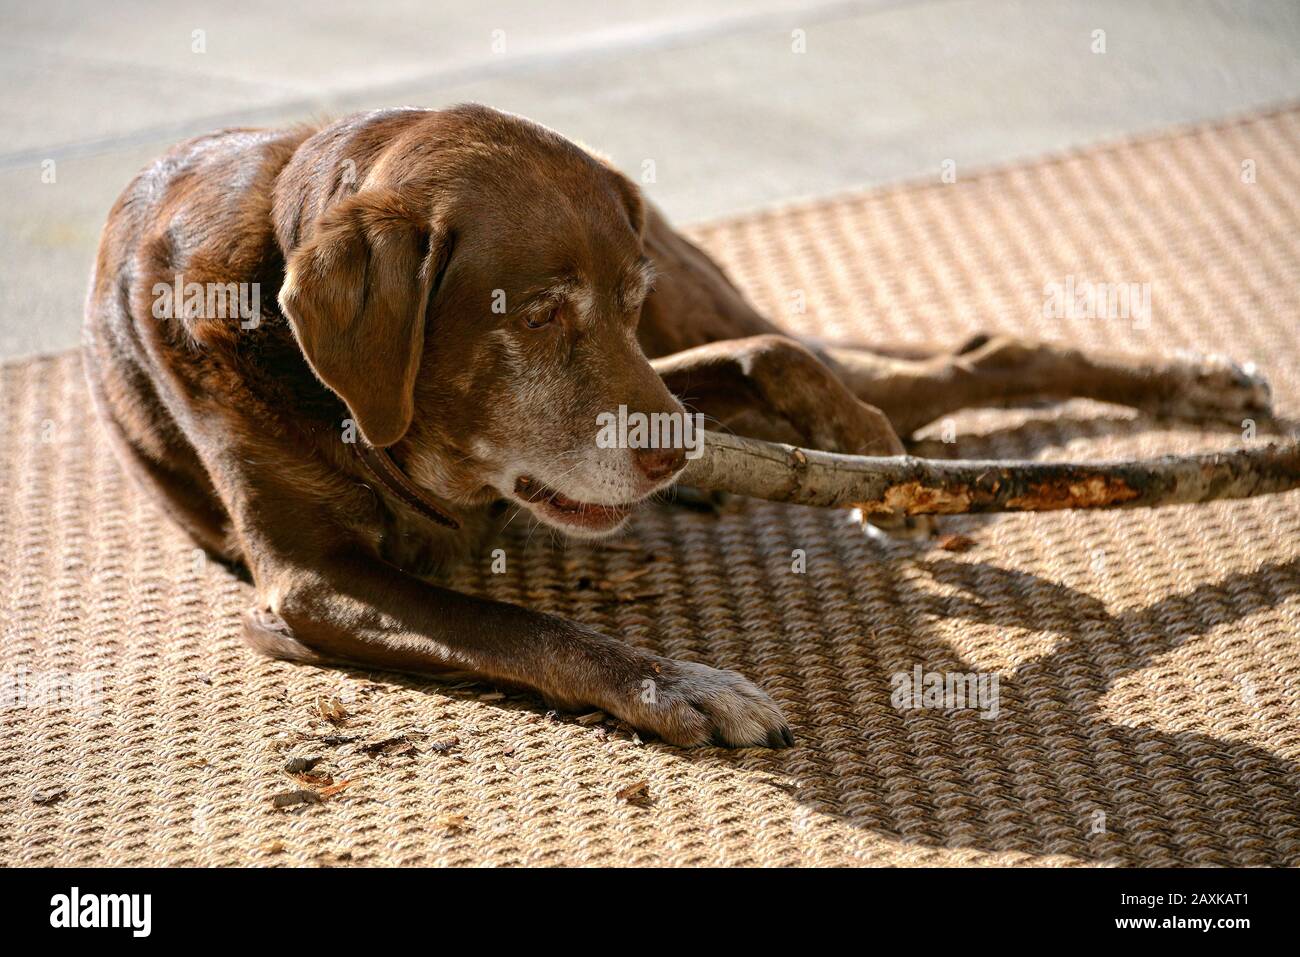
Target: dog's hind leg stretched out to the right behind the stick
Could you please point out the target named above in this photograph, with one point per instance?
(1006, 370)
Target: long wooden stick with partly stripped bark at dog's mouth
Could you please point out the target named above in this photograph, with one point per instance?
(904, 484)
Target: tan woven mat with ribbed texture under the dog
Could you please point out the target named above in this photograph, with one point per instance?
(1149, 662)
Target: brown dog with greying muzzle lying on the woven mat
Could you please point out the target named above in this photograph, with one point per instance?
(462, 295)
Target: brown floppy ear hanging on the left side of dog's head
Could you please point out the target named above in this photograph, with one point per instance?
(357, 295)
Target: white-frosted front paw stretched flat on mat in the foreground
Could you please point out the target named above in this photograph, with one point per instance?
(688, 705)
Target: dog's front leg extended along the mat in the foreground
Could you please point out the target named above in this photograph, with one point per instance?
(323, 597)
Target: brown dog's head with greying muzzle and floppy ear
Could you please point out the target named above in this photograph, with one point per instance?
(470, 285)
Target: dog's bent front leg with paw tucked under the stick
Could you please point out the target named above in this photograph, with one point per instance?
(777, 389)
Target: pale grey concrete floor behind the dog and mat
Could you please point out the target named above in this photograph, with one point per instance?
(709, 90)
